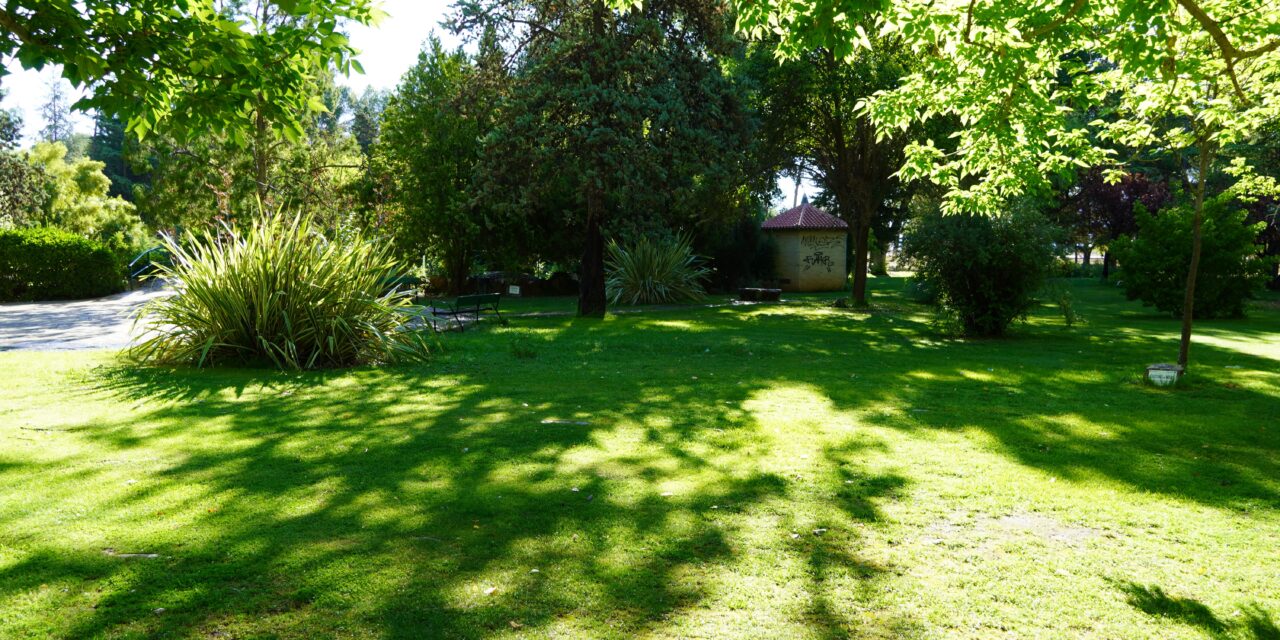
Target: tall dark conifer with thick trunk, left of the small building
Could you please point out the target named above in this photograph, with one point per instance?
(621, 108)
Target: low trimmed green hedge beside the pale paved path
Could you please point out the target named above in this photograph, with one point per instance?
(52, 264)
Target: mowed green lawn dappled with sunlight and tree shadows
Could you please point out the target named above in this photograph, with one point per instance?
(751, 472)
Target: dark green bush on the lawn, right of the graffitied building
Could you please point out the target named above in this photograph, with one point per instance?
(984, 271)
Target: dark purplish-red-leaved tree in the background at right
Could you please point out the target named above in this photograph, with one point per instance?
(1101, 213)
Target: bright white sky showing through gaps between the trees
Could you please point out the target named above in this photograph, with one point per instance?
(386, 53)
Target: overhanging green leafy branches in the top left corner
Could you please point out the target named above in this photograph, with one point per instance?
(190, 67)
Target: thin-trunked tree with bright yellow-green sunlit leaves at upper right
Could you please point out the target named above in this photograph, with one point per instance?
(1188, 76)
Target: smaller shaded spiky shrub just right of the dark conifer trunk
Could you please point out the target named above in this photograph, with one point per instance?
(655, 271)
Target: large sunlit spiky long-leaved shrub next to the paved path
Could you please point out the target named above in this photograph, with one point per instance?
(278, 294)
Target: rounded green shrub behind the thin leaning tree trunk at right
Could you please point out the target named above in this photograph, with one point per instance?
(1232, 268)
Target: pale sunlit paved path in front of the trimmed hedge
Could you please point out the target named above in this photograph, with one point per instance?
(85, 324)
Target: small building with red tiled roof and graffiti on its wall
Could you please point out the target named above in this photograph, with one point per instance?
(811, 249)
